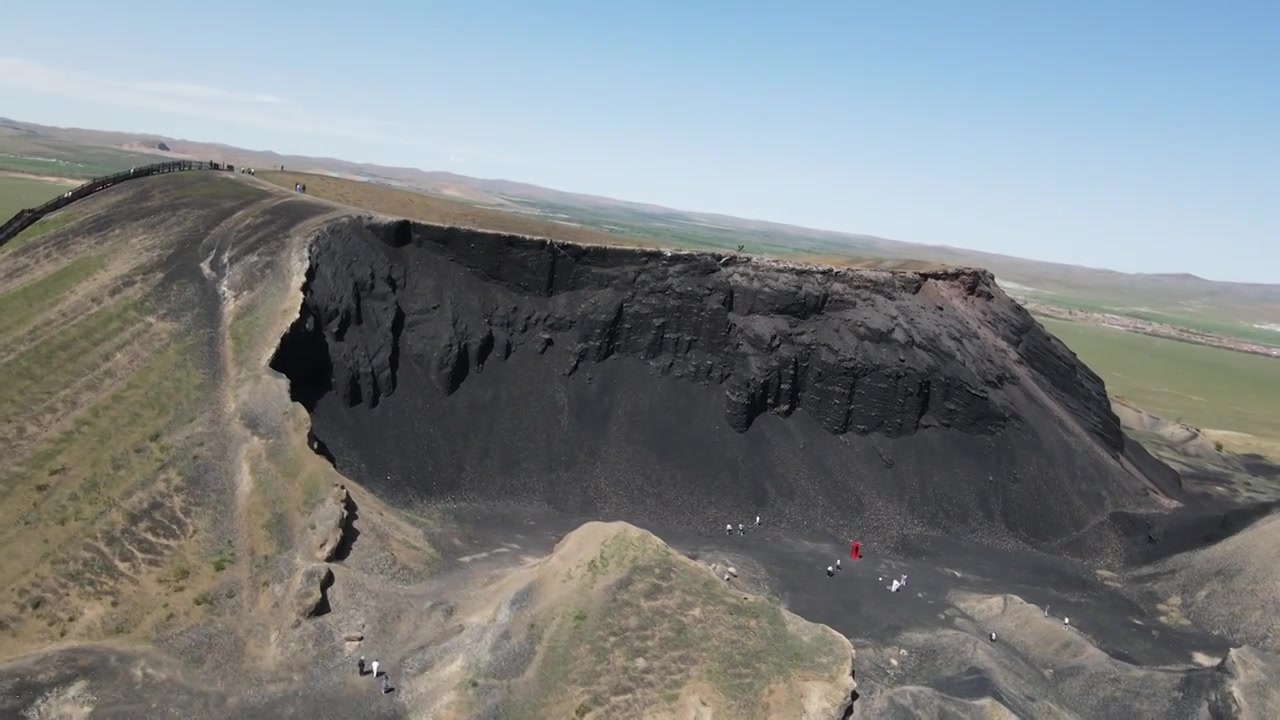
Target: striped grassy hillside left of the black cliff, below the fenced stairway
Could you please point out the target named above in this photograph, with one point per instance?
(118, 441)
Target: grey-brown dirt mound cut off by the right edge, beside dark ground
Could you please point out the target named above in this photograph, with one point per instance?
(1229, 587)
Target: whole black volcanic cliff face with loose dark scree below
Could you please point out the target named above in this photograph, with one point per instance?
(451, 363)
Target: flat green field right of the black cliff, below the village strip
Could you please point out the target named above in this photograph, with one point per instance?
(1203, 386)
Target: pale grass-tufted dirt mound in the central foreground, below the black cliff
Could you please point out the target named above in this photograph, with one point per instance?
(615, 625)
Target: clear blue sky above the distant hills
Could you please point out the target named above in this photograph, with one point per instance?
(1133, 135)
